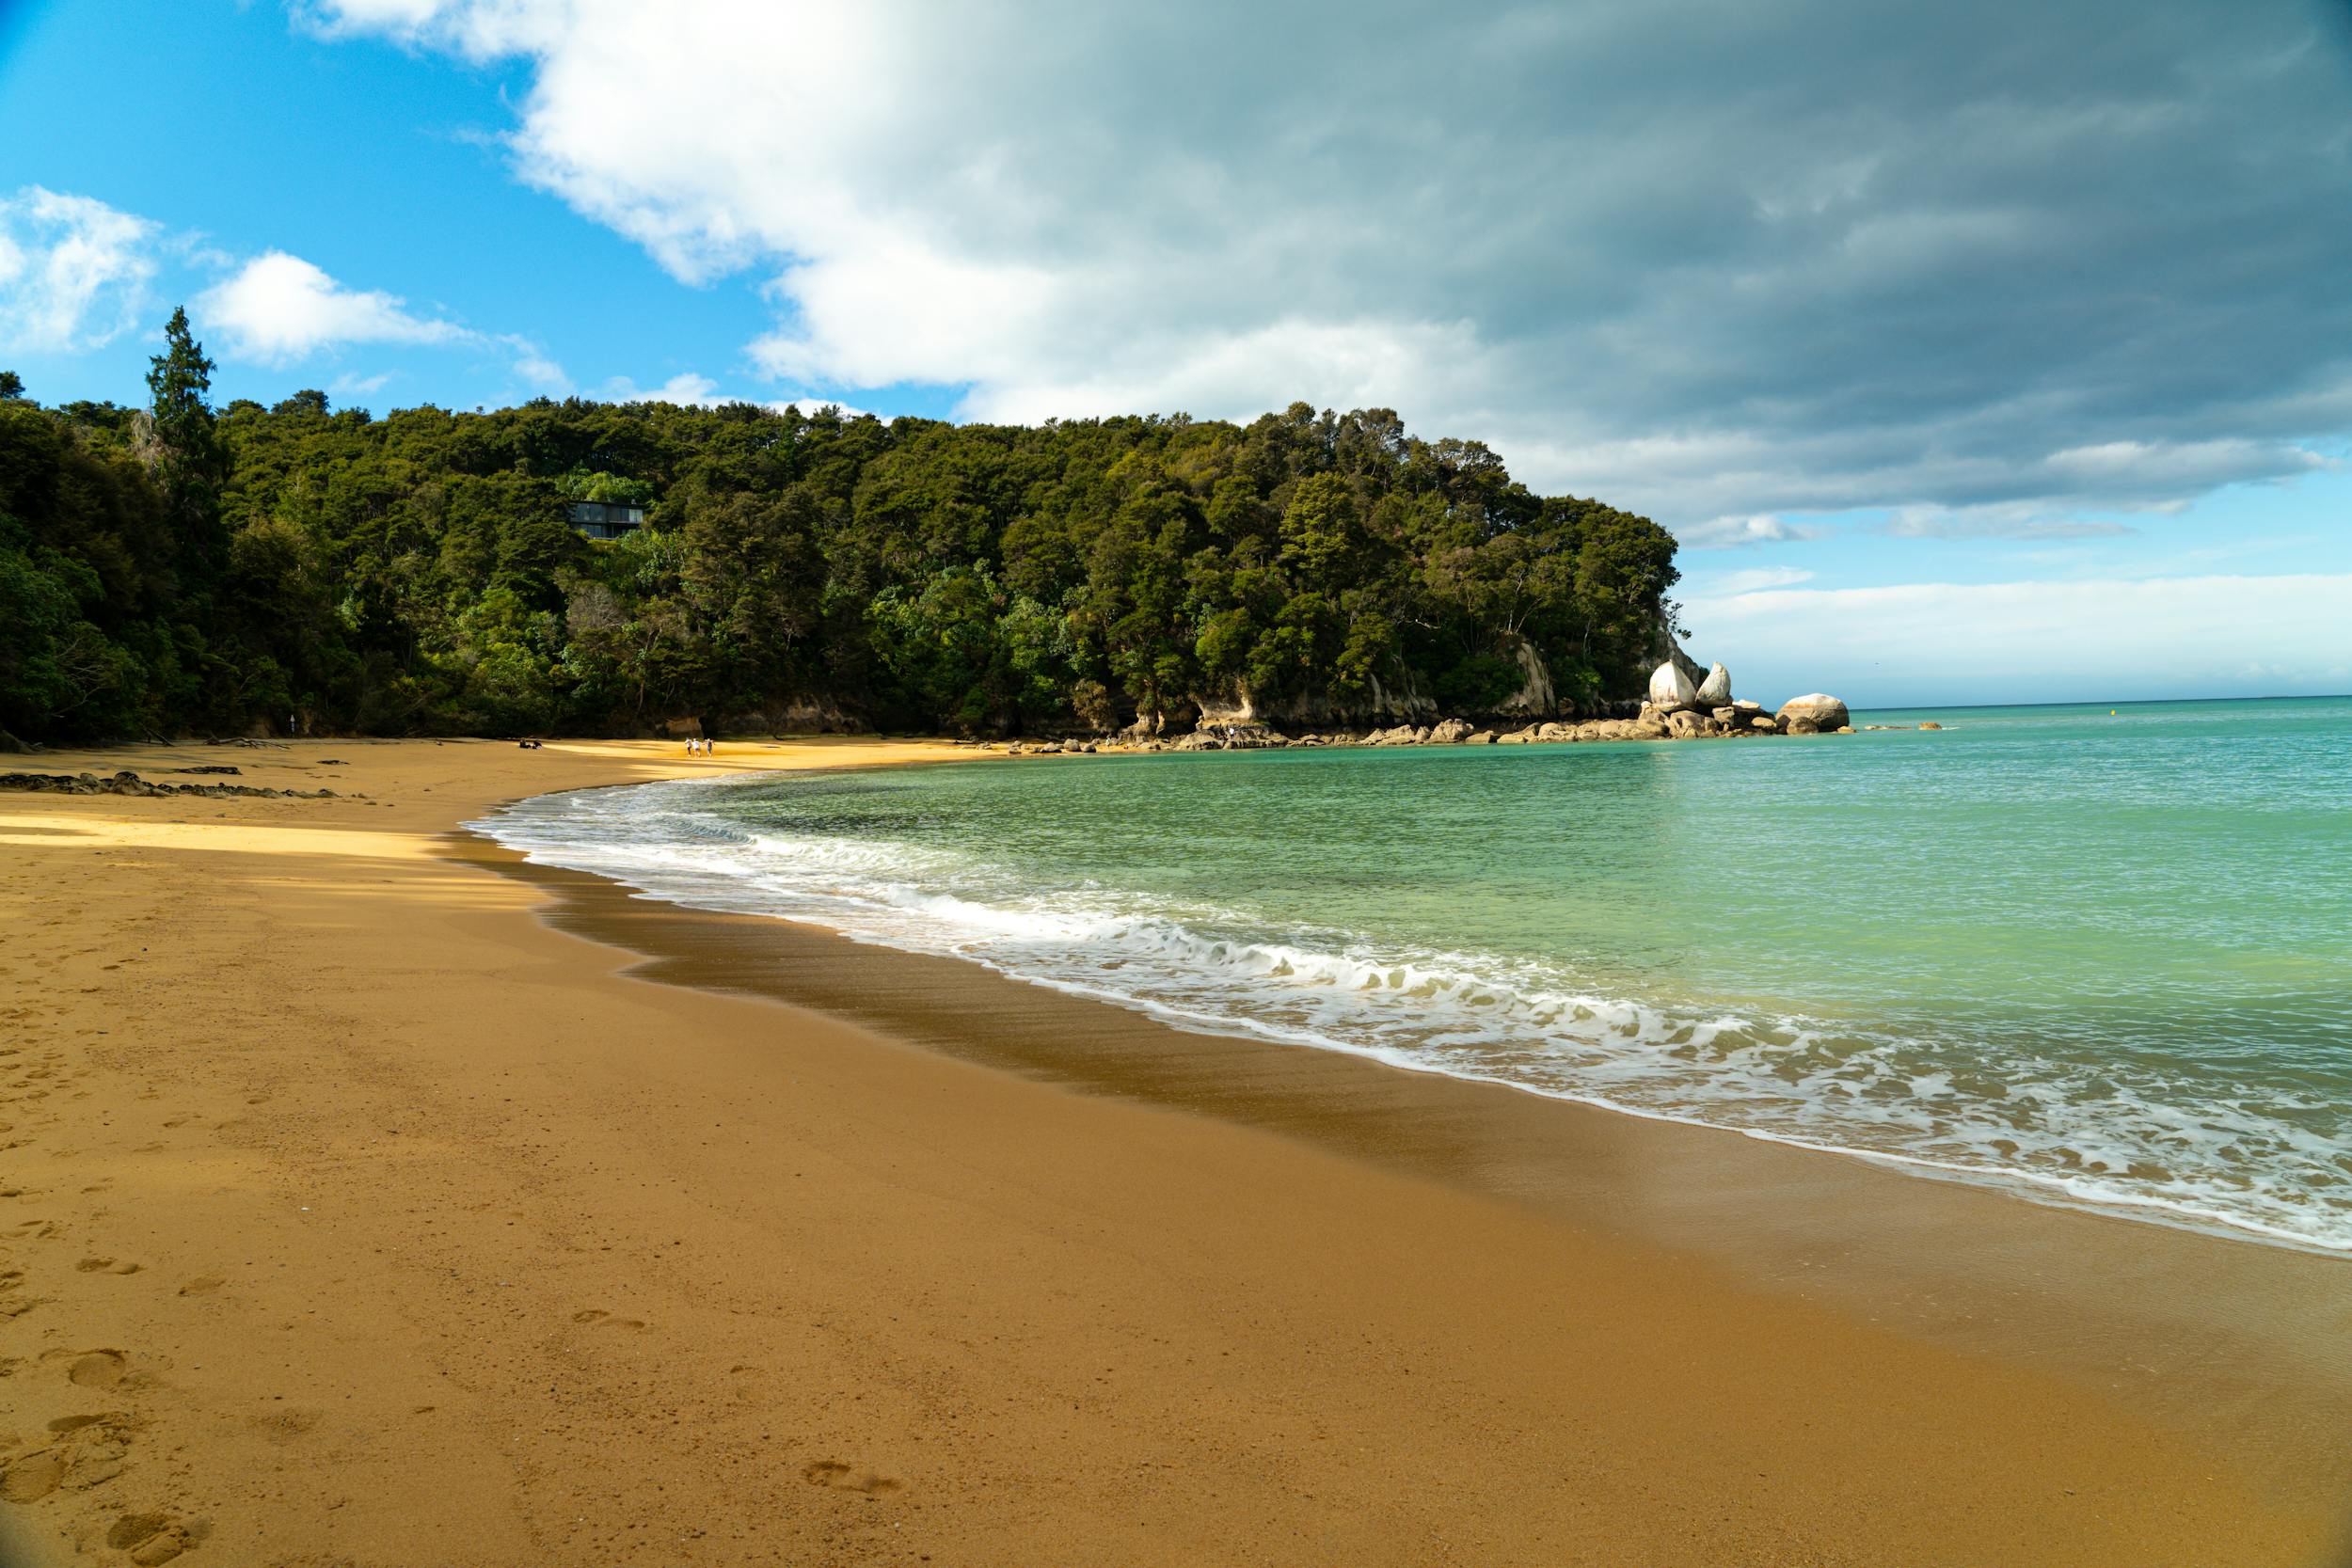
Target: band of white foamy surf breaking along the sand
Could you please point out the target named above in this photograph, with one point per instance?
(2153, 1144)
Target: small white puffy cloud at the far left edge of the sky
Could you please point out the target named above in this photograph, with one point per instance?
(74, 272)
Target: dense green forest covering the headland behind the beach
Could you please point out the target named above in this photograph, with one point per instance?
(180, 568)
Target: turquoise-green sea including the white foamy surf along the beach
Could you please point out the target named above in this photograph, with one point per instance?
(2102, 958)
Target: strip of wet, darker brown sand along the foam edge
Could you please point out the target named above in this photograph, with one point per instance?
(1784, 1217)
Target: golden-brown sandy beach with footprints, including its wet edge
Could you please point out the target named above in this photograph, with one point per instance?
(352, 1214)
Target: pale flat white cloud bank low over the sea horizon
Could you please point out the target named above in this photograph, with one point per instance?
(2052, 641)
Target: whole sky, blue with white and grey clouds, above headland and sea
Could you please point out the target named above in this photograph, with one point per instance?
(1975, 354)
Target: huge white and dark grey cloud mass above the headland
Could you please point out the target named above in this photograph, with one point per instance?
(1697, 257)
